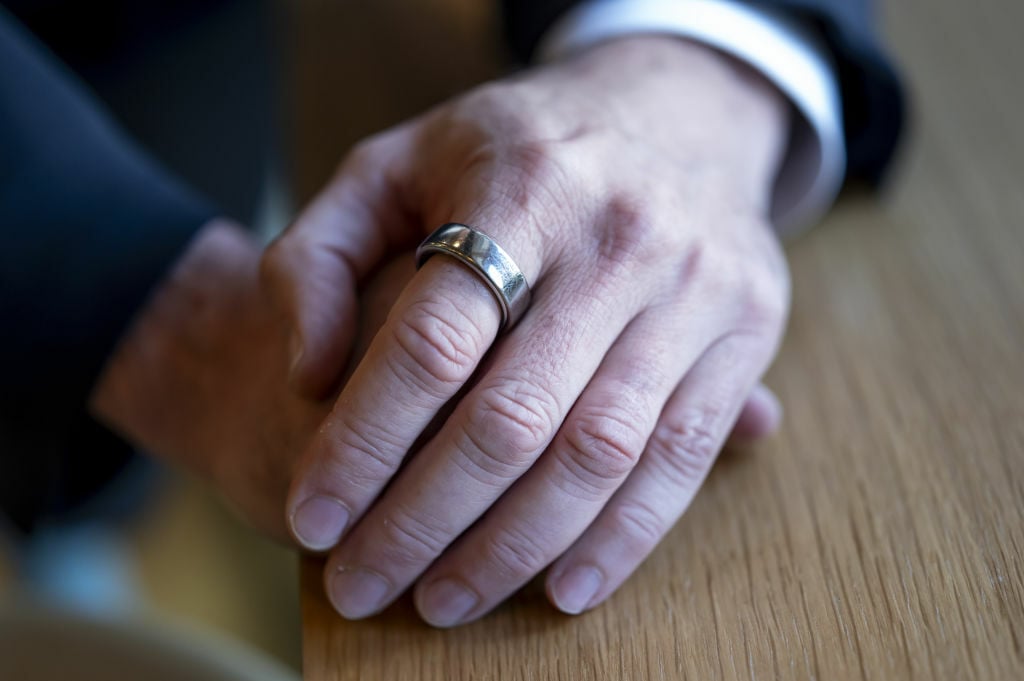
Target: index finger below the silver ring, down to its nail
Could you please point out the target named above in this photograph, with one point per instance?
(426, 351)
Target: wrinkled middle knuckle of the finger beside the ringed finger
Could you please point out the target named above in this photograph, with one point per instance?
(519, 418)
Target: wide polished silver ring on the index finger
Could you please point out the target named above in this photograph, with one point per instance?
(487, 259)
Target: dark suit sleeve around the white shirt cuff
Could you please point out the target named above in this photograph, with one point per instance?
(873, 101)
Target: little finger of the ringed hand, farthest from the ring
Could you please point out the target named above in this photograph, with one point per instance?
(679, 455)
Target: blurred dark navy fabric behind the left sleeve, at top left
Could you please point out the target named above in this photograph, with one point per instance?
(194, 81)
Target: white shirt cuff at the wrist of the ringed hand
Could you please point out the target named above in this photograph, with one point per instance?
(786, 53)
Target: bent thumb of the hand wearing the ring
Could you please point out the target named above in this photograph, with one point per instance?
(313, 270)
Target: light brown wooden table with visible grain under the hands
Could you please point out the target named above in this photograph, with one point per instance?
(880, 536)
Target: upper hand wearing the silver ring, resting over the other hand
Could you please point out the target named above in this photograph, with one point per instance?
(631, 185)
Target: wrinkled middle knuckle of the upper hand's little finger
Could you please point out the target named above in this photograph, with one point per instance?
(688, 446)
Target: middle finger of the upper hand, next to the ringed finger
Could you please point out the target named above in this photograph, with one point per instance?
(496, 434)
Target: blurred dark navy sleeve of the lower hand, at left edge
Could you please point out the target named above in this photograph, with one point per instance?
(90, 225)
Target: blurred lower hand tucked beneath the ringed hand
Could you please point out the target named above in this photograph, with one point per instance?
(201, 378)
